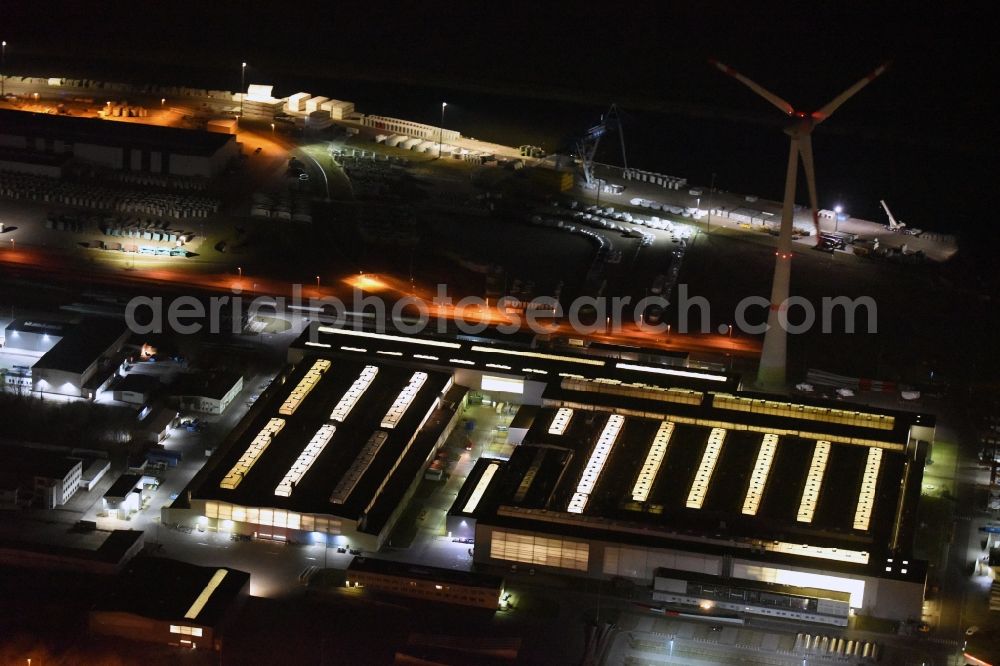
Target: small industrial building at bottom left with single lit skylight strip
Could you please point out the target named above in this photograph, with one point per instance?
(164, 601)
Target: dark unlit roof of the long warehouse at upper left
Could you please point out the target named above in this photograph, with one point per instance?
(105, 132)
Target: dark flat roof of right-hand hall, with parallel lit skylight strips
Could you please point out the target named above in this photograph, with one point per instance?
(543, 482)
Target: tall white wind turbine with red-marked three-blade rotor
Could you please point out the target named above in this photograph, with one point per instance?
(771, 372)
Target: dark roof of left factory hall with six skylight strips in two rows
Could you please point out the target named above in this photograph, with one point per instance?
(343, 451)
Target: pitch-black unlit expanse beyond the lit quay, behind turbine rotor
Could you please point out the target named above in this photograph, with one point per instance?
(933, 106)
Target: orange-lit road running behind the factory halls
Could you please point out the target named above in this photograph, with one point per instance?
(391, 289)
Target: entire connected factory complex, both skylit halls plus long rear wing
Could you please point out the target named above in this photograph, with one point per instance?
(624, 464)
